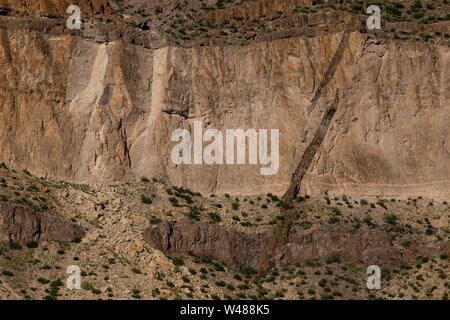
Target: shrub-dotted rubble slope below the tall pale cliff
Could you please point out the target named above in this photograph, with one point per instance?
(153, 240)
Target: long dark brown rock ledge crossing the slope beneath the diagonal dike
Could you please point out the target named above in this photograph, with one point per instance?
(236, 248)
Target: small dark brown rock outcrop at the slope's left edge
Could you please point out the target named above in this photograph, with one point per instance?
(21, 225)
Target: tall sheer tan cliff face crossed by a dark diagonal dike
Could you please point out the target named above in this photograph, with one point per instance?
(88, 111)
